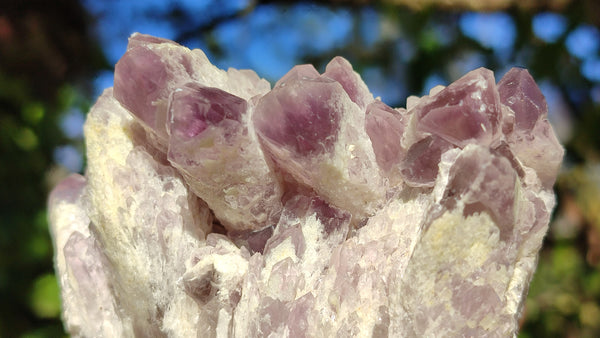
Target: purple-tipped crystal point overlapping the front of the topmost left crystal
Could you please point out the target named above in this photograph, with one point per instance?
(223, 165)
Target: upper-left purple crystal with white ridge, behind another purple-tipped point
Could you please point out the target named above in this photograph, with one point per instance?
(153, 68)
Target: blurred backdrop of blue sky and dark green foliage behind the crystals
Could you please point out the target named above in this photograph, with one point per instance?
(56, 57)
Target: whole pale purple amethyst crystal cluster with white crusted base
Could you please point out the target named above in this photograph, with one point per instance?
(215, 206)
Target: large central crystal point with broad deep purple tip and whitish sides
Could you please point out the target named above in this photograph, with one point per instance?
(316, 134)
